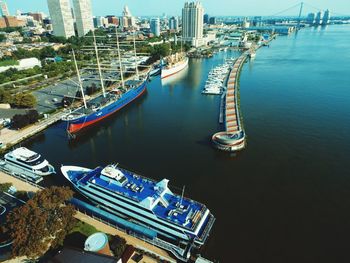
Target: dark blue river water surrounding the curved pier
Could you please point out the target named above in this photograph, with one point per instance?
(286, 197)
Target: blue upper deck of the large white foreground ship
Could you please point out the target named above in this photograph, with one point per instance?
(181, 211)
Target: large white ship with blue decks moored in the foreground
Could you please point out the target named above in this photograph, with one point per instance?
(144, 201)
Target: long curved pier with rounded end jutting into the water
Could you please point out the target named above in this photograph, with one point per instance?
(233, 138)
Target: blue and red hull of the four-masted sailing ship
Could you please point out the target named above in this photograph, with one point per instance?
(85, 121)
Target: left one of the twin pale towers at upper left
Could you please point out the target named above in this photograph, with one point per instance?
(61, 17)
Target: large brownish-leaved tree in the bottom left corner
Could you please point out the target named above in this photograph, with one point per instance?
(41, 223)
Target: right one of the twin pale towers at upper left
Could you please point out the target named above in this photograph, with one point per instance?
(83, 16)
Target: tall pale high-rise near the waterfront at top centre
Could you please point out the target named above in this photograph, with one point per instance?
(192, 23)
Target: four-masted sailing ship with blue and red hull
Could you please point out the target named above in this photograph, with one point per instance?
(107, 103)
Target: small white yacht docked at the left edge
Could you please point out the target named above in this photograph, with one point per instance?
(29, 161)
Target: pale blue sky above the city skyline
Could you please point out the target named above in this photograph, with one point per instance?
(212, 7)
